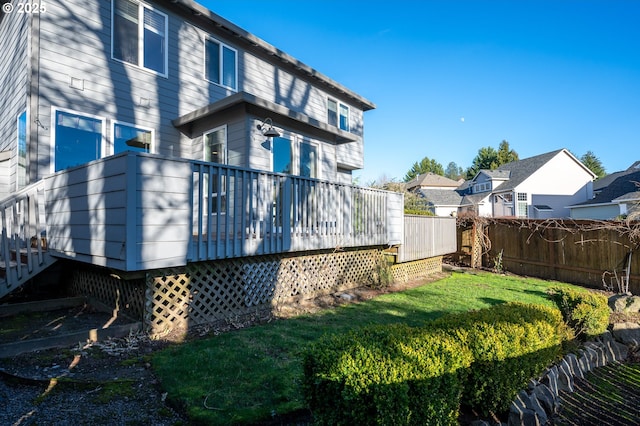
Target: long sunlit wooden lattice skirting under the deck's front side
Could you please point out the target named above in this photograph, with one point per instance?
(208, 291)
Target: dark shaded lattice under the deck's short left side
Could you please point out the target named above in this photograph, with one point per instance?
(127, 296)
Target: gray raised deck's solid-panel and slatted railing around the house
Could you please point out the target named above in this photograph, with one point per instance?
(136, 211)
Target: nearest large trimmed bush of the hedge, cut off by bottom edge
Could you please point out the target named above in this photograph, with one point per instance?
(385, 375)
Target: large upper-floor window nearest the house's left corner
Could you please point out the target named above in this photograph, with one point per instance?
(139, 35)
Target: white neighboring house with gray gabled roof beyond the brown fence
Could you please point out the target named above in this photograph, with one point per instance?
(538, 187)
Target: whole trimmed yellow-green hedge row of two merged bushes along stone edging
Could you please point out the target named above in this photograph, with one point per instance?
(401, 375)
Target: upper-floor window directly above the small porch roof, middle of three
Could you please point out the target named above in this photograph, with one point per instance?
(220, 63)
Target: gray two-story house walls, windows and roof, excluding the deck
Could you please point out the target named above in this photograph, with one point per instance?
(83, 80)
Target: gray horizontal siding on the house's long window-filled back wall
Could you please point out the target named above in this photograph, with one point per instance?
(76, 42)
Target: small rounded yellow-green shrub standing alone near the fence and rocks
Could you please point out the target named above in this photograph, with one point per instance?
(584, 311)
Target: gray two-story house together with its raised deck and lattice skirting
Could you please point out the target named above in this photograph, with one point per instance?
(200, 169)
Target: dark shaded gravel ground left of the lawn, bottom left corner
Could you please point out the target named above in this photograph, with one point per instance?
(105, 384)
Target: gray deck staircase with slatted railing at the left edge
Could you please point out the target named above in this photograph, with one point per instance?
(23, 244)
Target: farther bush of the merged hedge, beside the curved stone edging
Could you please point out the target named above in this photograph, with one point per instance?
(510, 343)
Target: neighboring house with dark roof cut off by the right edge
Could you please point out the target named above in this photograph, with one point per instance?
(618, 196)
